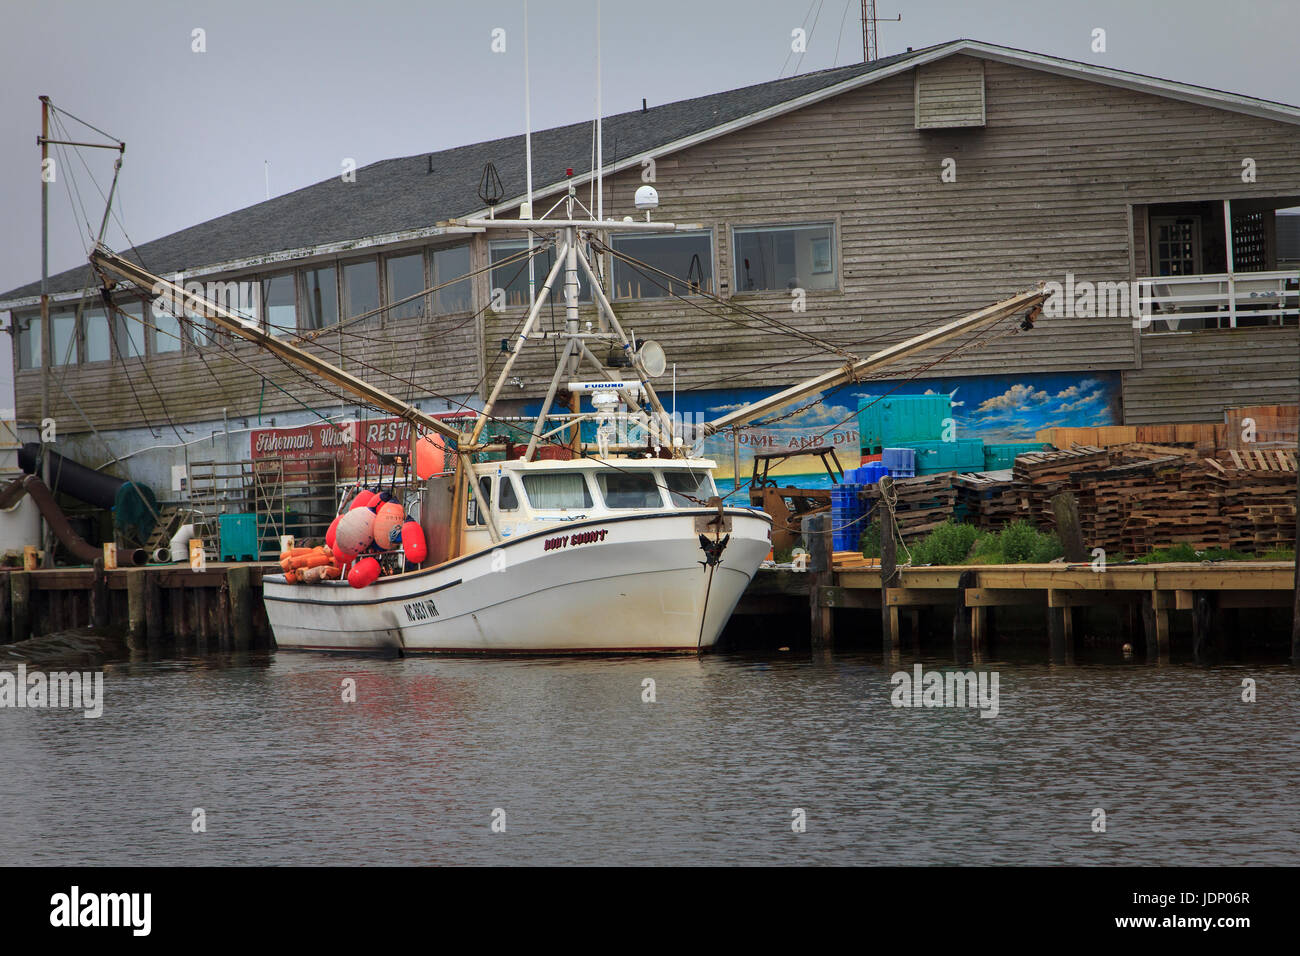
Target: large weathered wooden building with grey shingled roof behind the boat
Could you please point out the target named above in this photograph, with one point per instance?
(894, 193)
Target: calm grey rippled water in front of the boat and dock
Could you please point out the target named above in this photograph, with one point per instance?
(588, 773)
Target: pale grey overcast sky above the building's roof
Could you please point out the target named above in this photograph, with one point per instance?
(305, 85)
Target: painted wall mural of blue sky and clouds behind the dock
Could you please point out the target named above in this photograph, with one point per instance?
(996, 409)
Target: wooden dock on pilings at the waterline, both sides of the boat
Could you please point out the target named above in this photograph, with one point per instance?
(171, 608)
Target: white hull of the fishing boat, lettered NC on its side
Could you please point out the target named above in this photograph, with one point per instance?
(616, 585)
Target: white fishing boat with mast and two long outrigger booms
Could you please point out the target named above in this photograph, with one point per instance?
(625, 547)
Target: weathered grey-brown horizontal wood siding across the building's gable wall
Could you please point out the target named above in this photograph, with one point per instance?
(1042, 191)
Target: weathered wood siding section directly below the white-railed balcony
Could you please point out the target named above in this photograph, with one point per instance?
(1194, 377)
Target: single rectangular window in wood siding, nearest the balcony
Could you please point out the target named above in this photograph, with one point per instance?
(783, 258)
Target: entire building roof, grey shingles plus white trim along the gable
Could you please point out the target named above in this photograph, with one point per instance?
(401, 194)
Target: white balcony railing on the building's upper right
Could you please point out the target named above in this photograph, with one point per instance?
(1224, 301)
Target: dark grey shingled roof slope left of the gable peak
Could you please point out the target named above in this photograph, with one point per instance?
(401, 194)
